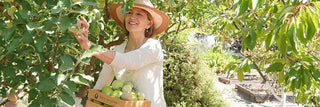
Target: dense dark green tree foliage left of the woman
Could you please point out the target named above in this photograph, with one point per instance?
(37, 53)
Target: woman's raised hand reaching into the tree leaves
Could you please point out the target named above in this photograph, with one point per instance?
(83, 40)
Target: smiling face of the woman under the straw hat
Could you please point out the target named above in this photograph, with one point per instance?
(136, 20)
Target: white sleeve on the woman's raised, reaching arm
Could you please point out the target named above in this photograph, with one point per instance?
(148, 53)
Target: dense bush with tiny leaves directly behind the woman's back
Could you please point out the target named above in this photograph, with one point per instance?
(188, 81)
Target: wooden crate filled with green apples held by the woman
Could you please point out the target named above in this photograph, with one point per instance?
(119, 94)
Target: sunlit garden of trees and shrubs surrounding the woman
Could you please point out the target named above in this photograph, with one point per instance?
(267, 50)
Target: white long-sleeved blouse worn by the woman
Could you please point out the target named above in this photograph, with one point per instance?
(143, 67)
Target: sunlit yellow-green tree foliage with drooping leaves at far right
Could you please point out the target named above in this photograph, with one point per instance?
(278, 37)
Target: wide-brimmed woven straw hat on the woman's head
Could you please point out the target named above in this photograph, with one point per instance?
(160, 19)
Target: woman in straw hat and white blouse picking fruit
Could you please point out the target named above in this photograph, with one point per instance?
(138, 59)
